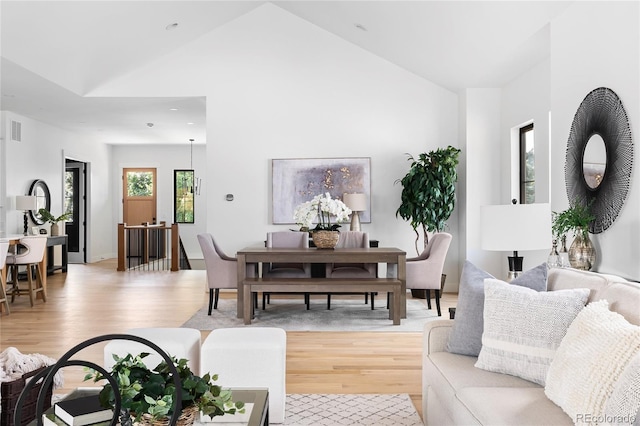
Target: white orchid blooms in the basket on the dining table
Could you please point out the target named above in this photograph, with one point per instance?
(323, 207)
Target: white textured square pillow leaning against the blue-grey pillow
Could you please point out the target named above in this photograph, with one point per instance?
(523, 328)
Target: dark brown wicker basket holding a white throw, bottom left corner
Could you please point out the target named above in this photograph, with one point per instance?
(11, 392)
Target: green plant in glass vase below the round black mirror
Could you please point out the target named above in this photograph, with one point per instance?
(576, 219)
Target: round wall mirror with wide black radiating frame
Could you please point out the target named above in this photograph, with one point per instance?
(599, 157)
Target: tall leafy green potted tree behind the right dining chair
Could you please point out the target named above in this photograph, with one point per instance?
(429, 194)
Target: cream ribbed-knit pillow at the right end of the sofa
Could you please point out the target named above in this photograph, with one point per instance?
(597, 348)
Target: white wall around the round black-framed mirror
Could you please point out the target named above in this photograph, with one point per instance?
(596, 44)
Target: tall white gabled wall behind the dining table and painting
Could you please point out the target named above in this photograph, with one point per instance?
(279, 87)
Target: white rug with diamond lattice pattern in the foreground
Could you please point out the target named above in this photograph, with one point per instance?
(345, 409)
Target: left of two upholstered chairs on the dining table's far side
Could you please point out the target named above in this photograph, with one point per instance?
(286, 239)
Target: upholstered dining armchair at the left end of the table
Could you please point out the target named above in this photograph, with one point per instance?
(222, 270)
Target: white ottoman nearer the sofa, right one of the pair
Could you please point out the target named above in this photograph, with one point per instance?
(249, 358)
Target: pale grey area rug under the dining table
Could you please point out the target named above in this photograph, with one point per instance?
(292, 315)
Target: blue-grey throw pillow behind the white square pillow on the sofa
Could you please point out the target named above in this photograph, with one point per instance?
(466, 334)
